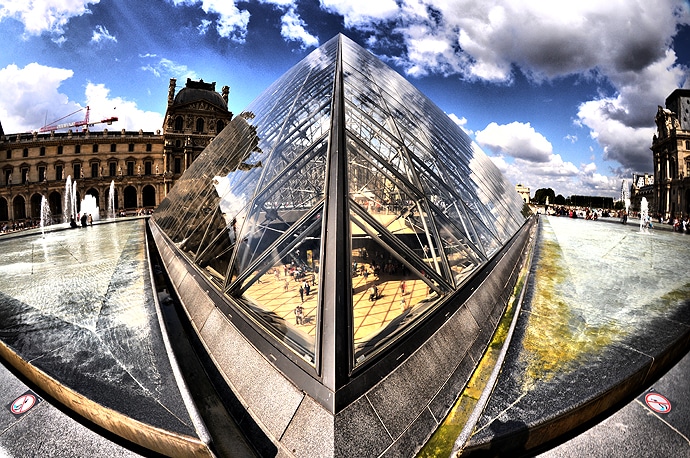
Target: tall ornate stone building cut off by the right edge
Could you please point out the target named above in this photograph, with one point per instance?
(671, 149)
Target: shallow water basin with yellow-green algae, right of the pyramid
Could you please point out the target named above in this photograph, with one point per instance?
(607, 312)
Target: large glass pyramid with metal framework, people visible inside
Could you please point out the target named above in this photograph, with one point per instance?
(340, 209)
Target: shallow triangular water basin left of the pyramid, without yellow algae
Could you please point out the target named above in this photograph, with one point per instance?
(77, 305)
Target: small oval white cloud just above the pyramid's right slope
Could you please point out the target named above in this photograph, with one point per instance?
(516, 139)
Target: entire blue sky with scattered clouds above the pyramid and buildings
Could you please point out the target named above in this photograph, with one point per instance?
(559, 94)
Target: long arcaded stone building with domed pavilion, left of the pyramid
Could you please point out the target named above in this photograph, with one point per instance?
(142, 165)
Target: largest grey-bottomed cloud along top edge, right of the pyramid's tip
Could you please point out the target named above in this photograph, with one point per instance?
(487, 40)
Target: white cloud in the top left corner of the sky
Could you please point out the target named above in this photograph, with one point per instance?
(44, 15)
